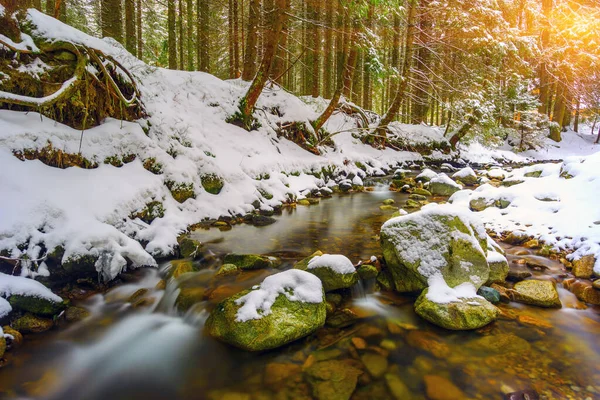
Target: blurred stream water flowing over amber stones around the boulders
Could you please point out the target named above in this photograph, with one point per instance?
(152, 351)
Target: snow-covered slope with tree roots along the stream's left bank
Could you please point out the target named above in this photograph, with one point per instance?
(184, 140)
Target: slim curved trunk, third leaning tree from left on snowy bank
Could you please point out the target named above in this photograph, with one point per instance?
(392, 112)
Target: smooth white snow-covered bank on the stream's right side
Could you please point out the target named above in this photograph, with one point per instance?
(559, 207)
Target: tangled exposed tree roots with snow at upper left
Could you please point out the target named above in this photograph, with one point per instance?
(77, 85)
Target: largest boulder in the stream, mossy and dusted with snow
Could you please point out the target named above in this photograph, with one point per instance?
(438, 239)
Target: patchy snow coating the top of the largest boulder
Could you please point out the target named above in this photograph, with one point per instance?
(428, 249)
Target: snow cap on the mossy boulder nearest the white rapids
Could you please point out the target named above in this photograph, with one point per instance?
(295, 284)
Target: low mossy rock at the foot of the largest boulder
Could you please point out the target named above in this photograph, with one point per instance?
(466, 314)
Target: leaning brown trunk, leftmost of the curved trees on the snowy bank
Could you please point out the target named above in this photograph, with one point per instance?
(276, 17)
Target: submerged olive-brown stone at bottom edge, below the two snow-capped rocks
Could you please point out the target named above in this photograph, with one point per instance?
(333, 379)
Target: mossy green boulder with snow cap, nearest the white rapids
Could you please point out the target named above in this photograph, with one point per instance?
(284, 307)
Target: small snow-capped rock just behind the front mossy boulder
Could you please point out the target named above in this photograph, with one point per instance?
(334, 270)
